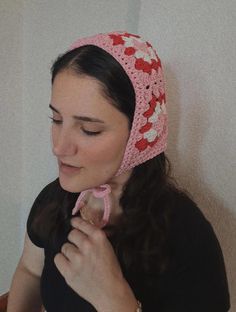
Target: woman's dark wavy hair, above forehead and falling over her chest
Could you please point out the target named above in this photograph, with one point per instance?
(140, 239)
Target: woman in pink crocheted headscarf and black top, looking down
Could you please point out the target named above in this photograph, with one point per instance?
(113, 232)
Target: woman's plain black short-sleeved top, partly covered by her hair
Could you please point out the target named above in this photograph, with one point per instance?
(196, 283)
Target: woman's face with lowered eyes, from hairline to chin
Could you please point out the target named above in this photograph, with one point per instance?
(89, 134)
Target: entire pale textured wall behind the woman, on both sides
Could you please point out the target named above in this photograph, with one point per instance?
(196, 42)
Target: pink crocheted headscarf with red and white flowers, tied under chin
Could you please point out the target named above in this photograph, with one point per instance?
(148, 135)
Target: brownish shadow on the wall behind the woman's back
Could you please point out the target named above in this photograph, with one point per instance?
(185, 150)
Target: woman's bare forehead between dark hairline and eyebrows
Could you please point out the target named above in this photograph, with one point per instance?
(82, 95)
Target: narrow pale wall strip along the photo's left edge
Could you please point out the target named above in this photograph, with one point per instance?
(10, 137)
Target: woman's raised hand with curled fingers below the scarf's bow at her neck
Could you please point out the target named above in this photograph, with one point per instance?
(90, 267)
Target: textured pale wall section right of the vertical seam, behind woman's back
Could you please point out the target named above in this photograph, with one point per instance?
(197, 44)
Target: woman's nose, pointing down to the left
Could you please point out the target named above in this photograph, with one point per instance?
(63, 144)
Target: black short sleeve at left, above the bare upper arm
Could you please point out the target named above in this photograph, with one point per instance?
(36, 210)
